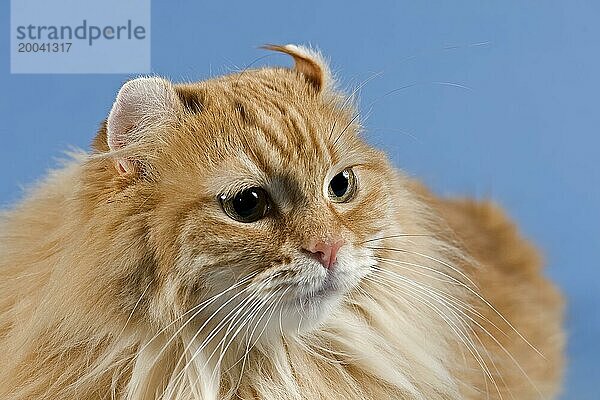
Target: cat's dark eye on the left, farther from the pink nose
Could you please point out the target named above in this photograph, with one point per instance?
(249, 205)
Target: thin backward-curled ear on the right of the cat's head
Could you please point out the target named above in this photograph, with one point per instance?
(308, 62)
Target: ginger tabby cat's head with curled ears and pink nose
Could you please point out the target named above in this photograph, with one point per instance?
(257, 193)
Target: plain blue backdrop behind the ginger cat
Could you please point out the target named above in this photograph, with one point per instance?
(524, 131)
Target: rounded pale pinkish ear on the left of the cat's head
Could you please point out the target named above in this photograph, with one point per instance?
(143, 106)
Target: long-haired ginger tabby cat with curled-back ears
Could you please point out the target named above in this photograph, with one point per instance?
(237, 238)
